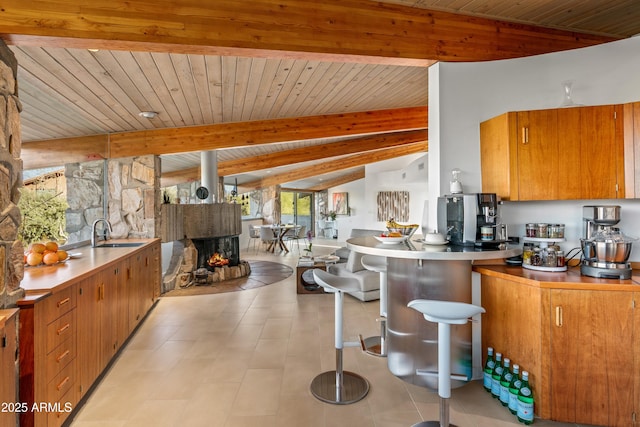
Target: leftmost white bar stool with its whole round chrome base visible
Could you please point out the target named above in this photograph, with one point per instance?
(340, 387)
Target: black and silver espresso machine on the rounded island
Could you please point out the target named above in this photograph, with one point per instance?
(470, 219)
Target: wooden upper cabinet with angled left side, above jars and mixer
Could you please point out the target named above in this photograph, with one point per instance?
(558, 154)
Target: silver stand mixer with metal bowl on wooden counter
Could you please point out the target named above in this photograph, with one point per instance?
(605, 250)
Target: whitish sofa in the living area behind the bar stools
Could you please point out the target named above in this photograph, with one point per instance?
(369, 280)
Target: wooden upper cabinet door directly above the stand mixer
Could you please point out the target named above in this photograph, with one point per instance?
(602, 152)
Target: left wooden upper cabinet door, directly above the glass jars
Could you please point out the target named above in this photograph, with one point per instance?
(537, 155)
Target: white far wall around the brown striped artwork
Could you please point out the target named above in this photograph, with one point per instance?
(383, 176)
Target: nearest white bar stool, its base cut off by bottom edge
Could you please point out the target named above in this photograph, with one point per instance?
(445, 314)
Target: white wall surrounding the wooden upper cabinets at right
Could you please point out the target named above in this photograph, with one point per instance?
(461, 95)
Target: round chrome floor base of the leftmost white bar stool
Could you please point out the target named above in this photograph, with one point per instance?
(325, 387)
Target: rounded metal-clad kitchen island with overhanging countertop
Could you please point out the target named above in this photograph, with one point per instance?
(416, 270)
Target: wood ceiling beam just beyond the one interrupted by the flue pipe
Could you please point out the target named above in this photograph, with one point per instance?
(342, 163)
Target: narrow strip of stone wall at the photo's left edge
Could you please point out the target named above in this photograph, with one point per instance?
(11, 249)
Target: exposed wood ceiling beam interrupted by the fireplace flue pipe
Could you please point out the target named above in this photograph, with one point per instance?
(299, 155)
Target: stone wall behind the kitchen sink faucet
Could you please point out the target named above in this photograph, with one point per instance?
(131, 188)
